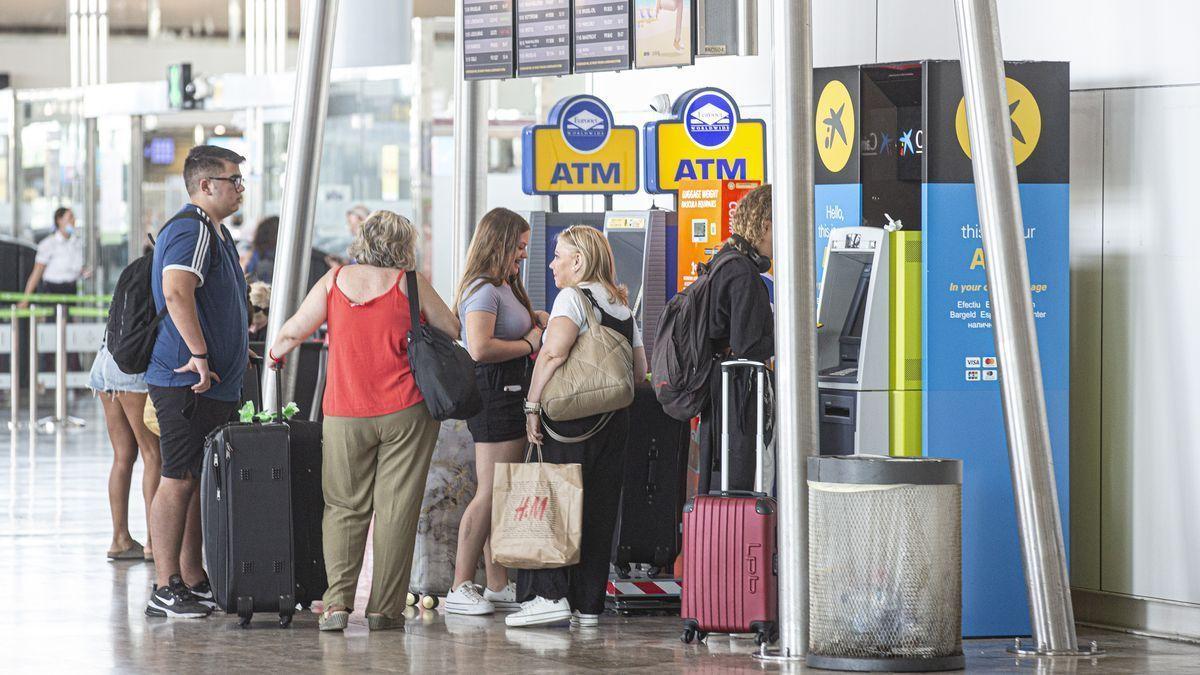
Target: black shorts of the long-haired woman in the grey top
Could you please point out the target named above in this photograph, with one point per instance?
(503, 387)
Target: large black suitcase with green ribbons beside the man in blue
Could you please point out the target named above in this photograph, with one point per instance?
(260, 485)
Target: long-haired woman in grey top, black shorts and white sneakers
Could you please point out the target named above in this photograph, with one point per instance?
(501, 331)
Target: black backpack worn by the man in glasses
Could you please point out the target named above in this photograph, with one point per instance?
(133, 321)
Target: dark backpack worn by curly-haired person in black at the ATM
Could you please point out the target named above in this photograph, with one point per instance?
(683, 351)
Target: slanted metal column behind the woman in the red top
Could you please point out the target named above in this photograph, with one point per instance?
(299, 202)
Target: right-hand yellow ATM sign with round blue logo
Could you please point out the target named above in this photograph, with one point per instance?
(706, 141)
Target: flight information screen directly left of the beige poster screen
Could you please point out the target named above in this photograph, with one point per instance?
(603, 35)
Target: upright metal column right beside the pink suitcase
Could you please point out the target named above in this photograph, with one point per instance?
(796, 377)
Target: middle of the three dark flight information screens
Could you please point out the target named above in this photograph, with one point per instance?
(544, 38)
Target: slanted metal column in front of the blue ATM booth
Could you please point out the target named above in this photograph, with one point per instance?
(1017, 344)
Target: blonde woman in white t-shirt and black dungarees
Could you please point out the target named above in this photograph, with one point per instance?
(585, 272)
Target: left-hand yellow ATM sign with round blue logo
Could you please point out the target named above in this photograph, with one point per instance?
(580, 152)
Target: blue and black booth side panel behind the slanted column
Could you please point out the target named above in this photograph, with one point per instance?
(963, 415)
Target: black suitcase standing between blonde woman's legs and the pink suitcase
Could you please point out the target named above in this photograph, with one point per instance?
(653, 487)
